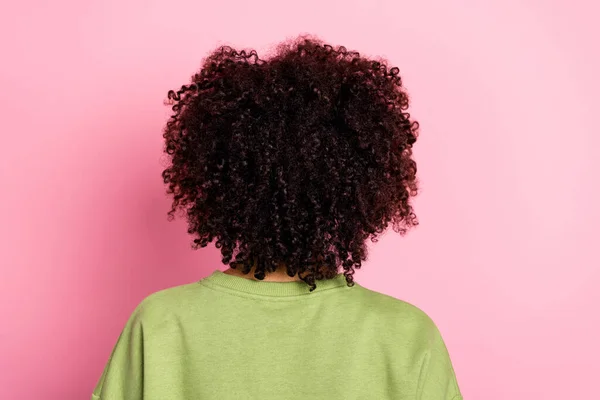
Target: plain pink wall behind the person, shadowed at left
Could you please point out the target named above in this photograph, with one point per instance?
(503, 260)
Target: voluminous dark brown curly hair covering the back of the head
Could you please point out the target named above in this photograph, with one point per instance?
(298, 159)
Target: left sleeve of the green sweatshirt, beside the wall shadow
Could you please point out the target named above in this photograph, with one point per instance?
(123, 374)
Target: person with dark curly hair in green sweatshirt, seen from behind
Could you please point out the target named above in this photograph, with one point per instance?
(290, 164)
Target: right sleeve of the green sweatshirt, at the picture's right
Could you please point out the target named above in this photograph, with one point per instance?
(437, 379)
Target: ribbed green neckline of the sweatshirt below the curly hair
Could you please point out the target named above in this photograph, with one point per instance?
(271, 289)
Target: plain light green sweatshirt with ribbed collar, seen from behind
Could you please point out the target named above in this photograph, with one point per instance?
(229, 337)
